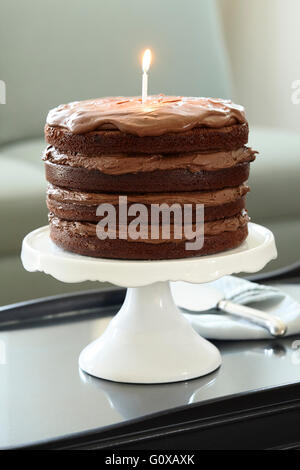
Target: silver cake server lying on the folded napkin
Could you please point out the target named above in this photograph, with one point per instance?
(195, 298)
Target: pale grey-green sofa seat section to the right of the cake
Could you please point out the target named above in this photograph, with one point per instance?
(275, 175)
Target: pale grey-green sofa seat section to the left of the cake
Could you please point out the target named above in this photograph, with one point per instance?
(22, 193)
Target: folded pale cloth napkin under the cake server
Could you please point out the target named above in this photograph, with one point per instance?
(216, 325)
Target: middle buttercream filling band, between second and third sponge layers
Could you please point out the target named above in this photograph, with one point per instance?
(209, 198)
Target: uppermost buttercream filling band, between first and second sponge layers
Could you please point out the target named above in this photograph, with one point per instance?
(124, 164)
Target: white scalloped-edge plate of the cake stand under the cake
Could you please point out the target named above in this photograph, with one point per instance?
(40, 254)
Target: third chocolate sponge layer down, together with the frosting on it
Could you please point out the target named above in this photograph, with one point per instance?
(80, 206)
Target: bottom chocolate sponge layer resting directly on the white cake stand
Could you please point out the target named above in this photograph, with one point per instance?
(79, 238)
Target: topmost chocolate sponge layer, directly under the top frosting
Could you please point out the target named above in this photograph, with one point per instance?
(113, 141)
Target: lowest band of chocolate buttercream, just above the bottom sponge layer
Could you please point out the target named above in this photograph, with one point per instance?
(87, 229)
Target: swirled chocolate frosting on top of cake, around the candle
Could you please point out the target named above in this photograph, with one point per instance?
(159, 115)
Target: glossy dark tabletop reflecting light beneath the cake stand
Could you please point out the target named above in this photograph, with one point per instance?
(44, 395)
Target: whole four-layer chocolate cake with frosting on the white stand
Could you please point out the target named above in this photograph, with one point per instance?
(171, 151)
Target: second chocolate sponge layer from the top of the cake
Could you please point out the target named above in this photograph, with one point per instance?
(154, 181)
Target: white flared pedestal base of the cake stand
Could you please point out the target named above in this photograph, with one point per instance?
(149, 341)
